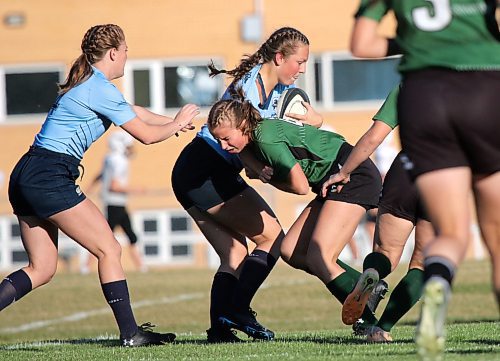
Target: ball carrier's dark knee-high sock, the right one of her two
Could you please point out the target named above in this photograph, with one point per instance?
(255, 270)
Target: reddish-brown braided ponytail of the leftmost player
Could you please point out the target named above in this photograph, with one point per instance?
(96, 42)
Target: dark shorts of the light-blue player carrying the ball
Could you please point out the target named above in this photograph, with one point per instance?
(203, 178)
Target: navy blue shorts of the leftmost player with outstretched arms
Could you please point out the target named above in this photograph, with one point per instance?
(43, 183)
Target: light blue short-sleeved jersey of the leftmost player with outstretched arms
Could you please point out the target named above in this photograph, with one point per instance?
(79, 117)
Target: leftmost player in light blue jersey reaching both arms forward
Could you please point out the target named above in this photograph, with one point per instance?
(42, 188)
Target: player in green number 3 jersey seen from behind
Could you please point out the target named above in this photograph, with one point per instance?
(449, 115)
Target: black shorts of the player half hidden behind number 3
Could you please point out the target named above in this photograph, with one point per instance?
(399, 194)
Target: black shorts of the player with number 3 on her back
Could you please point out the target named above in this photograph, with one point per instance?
(450, 119)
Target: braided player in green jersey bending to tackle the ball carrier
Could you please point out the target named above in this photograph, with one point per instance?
(303, 157)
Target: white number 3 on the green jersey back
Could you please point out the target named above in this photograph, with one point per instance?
(432, 19)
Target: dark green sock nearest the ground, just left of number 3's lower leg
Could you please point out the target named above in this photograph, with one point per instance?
(404, 296)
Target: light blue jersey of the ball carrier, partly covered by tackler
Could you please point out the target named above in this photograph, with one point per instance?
(251, 91)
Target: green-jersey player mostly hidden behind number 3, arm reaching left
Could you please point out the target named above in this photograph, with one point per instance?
(399, 212)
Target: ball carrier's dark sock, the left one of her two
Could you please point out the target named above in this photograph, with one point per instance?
(221, 295)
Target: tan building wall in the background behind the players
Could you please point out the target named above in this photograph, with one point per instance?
(168, 30)
